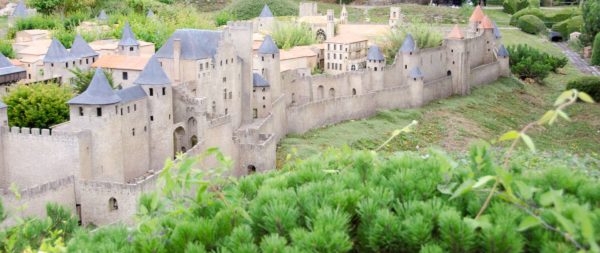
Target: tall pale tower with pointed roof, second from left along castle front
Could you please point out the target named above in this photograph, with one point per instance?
(157, 86)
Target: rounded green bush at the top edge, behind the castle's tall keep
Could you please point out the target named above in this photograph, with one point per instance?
(248, 9)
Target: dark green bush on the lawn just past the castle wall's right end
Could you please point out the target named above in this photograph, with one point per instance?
(528, 62)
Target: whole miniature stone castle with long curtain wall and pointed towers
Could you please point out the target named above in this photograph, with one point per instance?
(201, 90)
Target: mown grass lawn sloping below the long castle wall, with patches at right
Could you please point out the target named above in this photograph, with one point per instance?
(453, 123)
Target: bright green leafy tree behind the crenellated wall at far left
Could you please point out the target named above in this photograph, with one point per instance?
(38, 105)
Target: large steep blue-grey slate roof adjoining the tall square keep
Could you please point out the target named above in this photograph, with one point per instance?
(195, 44)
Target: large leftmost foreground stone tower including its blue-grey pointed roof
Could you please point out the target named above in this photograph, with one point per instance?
(97, 110)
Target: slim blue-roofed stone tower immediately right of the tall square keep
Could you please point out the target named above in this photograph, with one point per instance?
(268, 54)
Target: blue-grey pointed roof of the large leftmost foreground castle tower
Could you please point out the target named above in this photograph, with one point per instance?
(98, 92)
